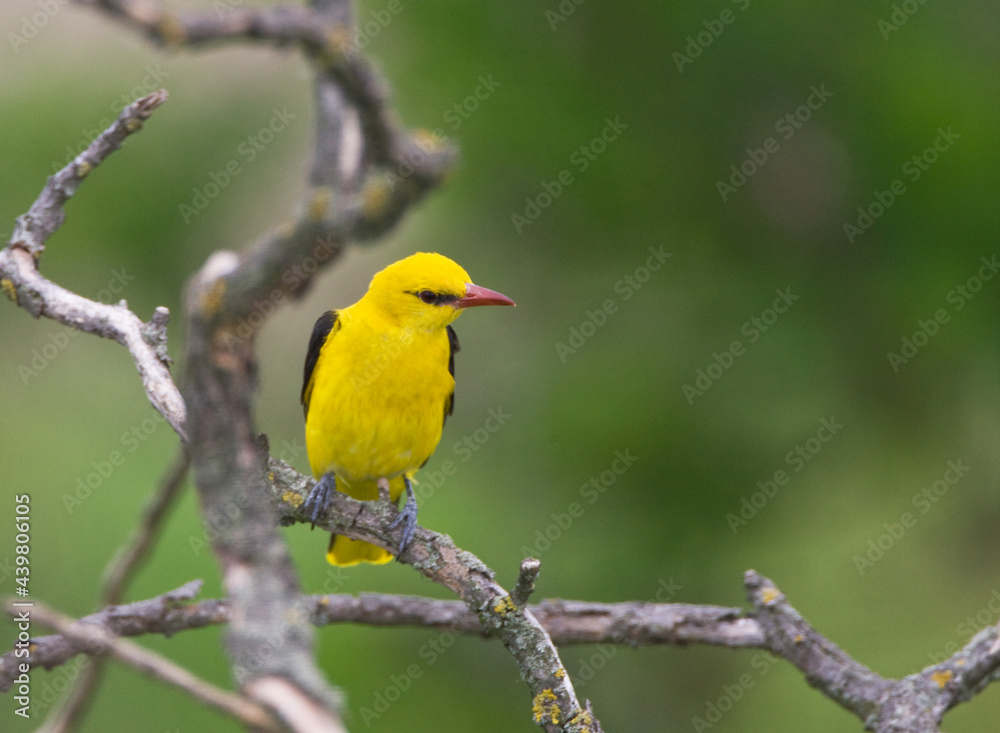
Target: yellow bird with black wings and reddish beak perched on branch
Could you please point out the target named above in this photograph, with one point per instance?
(379, 383)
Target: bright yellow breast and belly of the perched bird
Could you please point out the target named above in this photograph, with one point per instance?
(378, 399)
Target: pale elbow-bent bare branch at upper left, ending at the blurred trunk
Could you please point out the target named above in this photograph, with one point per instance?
(21, 281)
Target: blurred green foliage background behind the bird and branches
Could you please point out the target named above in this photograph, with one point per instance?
(550, 76)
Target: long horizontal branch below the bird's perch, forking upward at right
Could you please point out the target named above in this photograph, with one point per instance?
(915, 703)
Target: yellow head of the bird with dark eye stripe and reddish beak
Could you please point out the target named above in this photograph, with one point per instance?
(427, 291)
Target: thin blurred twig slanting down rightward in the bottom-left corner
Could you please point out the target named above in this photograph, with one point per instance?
(96, 640)
